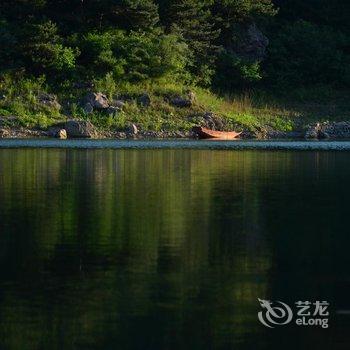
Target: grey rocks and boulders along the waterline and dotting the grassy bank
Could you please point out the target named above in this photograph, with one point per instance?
(82, 128)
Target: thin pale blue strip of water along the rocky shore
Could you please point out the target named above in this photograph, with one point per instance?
(176, 144)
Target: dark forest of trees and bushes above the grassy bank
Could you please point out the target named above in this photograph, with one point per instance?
(226, 44)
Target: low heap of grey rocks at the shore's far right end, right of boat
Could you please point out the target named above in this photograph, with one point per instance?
(328, 130)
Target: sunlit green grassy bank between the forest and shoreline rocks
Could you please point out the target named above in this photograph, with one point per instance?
(253, 111)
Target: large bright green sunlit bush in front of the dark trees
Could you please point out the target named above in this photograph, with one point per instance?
(134, 56)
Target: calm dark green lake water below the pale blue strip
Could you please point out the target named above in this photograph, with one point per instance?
(171, 248)
